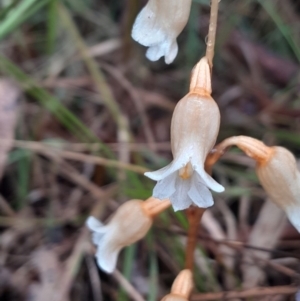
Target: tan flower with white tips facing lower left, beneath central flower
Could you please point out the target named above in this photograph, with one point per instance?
(130, 223)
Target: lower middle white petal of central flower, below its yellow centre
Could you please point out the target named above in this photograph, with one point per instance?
(180, 199)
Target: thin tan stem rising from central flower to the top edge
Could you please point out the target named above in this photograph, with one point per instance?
(211, 38)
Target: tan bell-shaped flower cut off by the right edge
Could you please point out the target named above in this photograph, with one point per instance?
(280, 177)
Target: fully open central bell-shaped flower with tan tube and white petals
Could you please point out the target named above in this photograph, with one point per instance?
(194, 129)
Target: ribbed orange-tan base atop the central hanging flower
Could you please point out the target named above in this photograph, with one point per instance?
(201, 78)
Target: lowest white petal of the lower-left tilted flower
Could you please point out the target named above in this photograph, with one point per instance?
(106, 257)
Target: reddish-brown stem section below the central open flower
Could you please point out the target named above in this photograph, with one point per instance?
(194, 216)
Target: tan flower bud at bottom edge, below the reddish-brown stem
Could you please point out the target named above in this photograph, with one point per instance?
(181, 288)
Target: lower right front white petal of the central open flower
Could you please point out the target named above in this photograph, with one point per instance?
(199, 193)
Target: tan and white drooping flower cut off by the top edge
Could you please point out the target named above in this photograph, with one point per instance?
(158, 25)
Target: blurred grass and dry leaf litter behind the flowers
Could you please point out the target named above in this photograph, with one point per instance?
(94, 114)
